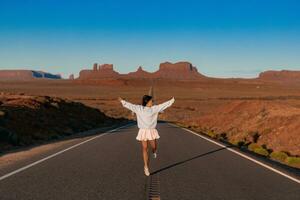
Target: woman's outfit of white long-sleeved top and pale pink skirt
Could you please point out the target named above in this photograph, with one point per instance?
(147, 118)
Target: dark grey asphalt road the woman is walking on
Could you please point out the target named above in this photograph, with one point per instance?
(111, 167)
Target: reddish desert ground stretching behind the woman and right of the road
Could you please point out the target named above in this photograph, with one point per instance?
(263, 116)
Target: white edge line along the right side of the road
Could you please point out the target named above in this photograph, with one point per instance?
(242, 155)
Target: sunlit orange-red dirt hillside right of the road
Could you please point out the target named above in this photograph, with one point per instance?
(272, 124)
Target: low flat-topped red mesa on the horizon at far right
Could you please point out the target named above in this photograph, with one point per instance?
(283, 75)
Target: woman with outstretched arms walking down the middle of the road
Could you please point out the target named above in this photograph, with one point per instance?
(147, 115)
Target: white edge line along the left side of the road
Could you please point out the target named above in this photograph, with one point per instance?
(60, 152)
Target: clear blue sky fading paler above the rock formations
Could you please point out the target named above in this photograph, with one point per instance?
(223, 38)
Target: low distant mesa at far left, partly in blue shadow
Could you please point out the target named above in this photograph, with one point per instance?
(26, 75)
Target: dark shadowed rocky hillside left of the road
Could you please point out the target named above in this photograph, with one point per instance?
(26, 120)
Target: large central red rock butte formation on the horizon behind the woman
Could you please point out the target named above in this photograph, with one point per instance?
(167, 70)
